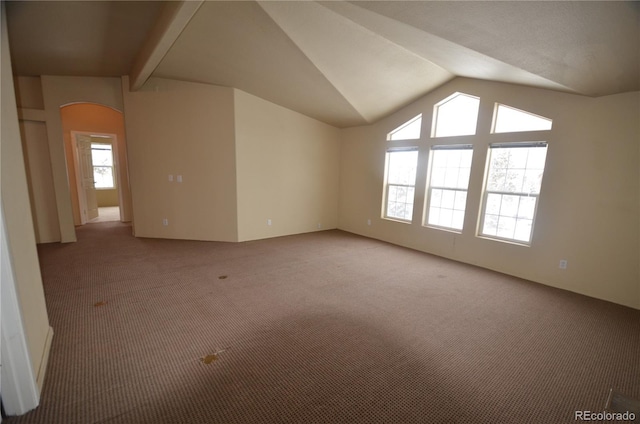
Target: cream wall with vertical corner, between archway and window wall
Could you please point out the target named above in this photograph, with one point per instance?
(243, 161)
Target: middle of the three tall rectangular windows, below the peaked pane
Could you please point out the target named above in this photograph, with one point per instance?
(448, 183)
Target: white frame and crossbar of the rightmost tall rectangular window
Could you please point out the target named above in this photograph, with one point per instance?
(487, 192)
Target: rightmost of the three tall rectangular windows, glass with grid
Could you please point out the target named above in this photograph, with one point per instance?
(512, 189)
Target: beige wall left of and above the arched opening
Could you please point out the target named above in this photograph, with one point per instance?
(58, 92)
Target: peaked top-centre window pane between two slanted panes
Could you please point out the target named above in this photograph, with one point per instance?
(456, 115)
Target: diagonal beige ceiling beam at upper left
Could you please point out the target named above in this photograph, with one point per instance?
(174, 17)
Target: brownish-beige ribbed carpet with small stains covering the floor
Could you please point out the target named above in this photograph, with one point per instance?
(326, 327)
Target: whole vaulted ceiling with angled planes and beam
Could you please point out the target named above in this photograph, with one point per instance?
(344, 63)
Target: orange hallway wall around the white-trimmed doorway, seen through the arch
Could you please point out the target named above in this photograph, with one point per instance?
(94, 118)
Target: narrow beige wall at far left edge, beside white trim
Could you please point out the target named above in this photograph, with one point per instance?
(17, 214)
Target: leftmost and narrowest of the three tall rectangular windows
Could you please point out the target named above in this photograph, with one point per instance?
(400, 183)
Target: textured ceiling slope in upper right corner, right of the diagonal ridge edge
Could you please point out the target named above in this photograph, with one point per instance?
(590, 47)
